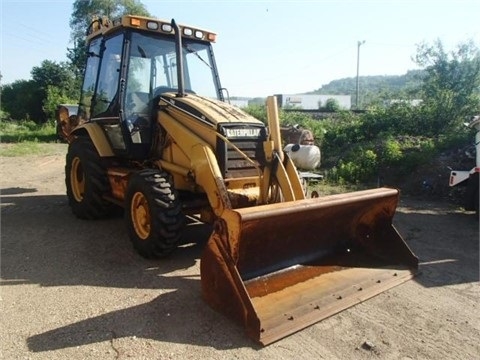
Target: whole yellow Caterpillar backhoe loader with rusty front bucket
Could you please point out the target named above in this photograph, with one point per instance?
(154, 135)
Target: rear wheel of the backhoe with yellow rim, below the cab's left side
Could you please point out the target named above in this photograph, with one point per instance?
(86, 180)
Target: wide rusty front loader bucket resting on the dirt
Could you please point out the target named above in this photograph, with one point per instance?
(279, 268)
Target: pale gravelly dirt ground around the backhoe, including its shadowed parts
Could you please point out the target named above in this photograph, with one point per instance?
(76, 289)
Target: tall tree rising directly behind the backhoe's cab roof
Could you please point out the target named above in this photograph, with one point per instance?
(83, 13)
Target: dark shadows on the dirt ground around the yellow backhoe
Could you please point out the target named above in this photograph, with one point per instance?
(44, 244)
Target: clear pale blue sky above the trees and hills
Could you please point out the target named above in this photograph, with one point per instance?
(265, 47)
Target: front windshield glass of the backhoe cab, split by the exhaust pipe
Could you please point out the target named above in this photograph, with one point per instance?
(153, 67)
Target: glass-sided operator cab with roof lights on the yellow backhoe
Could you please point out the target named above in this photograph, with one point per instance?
(130, 63)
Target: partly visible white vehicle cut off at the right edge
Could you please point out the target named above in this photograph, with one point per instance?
(470, 178)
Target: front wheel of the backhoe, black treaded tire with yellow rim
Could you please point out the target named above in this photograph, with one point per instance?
(153, 214)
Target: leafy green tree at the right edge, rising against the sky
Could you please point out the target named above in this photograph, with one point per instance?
(450, 84)
